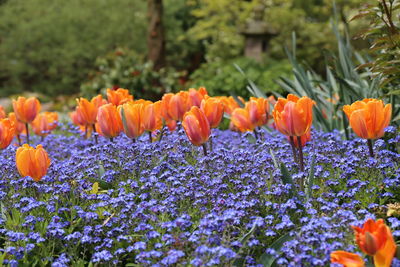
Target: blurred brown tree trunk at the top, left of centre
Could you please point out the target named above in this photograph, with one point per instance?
(155, 34)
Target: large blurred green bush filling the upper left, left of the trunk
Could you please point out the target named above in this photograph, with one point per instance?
(48, 46)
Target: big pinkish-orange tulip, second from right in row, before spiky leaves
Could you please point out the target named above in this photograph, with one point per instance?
(293, 115)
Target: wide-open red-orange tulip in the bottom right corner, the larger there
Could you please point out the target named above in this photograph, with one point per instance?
(375, 239)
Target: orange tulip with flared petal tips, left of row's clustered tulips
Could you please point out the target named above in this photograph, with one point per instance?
(88, 110)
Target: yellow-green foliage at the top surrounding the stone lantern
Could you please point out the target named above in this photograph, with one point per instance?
(219, 24)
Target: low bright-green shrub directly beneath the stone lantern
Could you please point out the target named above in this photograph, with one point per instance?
(222, 78)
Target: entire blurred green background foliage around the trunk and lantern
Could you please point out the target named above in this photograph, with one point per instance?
(57, 47)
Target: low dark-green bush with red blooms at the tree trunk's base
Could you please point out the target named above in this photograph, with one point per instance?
(123, 68)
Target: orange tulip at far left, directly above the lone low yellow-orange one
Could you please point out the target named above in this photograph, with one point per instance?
(26, 109)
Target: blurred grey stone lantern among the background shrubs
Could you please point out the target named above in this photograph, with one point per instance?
(257, 34)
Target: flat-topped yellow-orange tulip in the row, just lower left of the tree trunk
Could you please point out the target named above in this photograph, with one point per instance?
(132, 119)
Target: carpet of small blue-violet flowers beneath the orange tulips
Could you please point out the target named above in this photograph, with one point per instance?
(165, 203)
